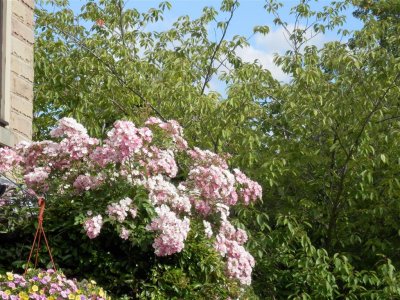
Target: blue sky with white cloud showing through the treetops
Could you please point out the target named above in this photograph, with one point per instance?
(249, 14)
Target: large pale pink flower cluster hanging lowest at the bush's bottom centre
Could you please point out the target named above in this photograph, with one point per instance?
(172, 231)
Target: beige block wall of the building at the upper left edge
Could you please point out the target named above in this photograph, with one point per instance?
(19, 71)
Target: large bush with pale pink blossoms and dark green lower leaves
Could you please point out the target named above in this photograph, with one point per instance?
(155, 212)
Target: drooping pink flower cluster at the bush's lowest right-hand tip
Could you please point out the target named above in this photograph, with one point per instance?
(229, 243)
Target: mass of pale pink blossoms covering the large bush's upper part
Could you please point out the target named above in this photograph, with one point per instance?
(140, 165)
